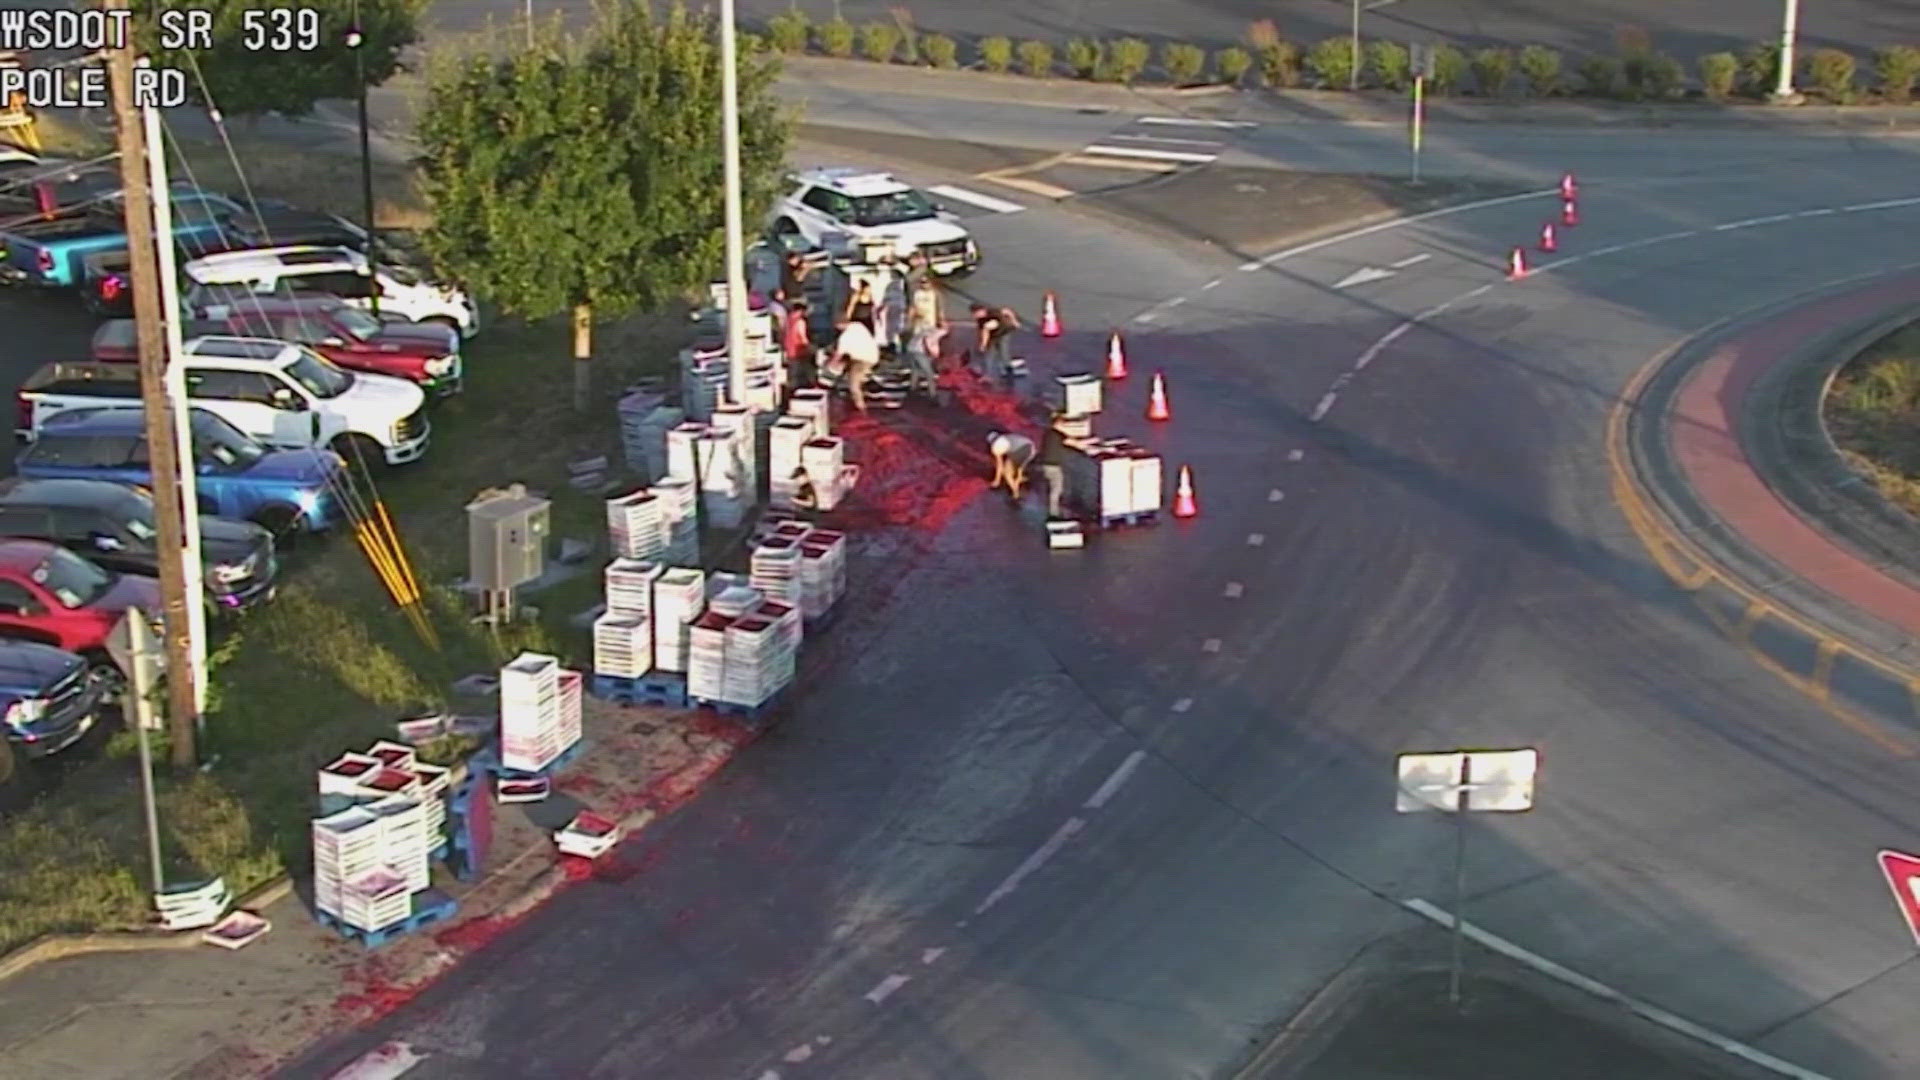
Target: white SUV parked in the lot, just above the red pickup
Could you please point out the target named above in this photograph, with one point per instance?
(345, 274)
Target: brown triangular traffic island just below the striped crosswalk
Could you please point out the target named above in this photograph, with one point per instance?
(1257, 210)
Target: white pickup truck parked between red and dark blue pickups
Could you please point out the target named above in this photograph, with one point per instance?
(283, 395)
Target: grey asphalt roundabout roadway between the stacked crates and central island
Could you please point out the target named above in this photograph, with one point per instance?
(1116, 814)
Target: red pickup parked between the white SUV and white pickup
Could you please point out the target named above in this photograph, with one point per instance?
(420, 353)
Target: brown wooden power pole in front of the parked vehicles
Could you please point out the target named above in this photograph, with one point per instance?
(162, 445)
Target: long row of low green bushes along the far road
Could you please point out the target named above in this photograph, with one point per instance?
(1633, 72)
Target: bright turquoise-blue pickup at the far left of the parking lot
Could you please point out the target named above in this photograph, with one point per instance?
(53, 251)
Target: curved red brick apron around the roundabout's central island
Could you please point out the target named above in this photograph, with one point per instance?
(1704, 435)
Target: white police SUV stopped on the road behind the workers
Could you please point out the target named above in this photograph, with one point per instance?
(875, 207)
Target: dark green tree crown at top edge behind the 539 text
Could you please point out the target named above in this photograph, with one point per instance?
(274, 61)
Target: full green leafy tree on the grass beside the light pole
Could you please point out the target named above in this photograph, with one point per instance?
(587, 176)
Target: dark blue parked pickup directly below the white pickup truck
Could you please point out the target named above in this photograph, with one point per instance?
(237, 478)
